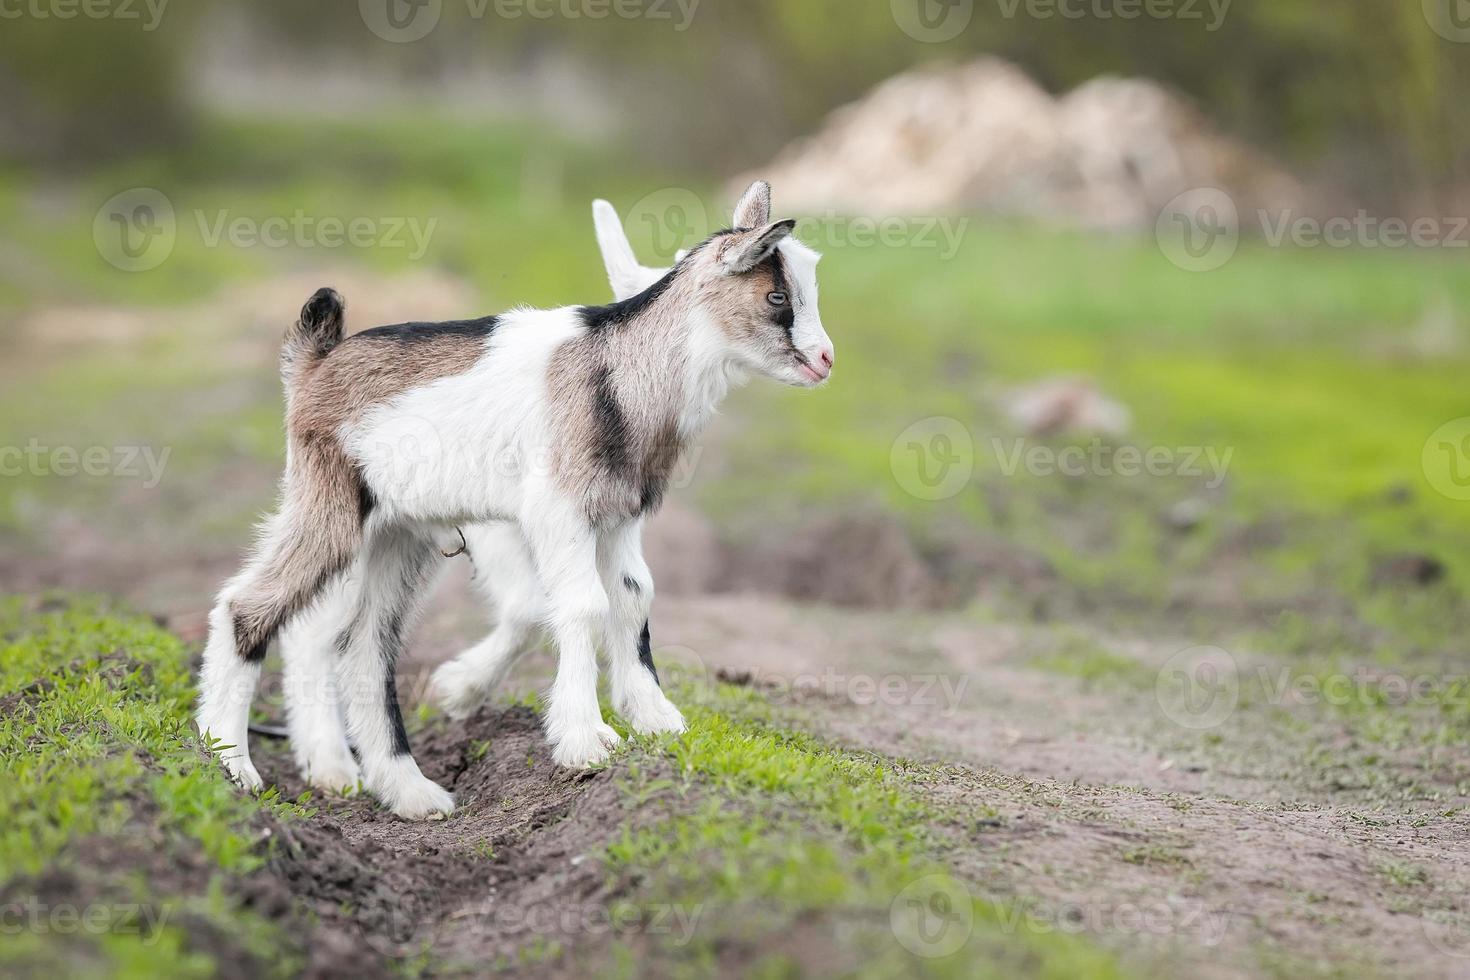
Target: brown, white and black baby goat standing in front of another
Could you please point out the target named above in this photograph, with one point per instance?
(562, 422)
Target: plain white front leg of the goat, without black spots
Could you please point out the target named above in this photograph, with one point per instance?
(565, 553)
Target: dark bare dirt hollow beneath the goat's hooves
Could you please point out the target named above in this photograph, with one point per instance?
(515, 866)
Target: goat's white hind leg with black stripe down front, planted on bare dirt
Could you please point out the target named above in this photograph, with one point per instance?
(398, 568)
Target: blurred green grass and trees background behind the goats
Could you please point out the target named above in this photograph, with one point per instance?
(1324, 372)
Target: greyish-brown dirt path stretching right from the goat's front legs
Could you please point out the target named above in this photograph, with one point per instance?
(1093, 813)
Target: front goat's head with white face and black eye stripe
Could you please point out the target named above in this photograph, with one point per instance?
(759, 287)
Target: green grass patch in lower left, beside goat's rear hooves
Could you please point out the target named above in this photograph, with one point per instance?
(96, 747)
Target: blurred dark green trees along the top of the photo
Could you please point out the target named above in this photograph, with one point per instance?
(1360, 92)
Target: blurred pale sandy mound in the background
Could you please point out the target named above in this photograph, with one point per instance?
(987, 137)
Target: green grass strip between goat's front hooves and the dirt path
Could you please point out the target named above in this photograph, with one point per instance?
(790, 834)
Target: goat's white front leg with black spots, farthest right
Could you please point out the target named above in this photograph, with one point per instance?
(637, 694)
